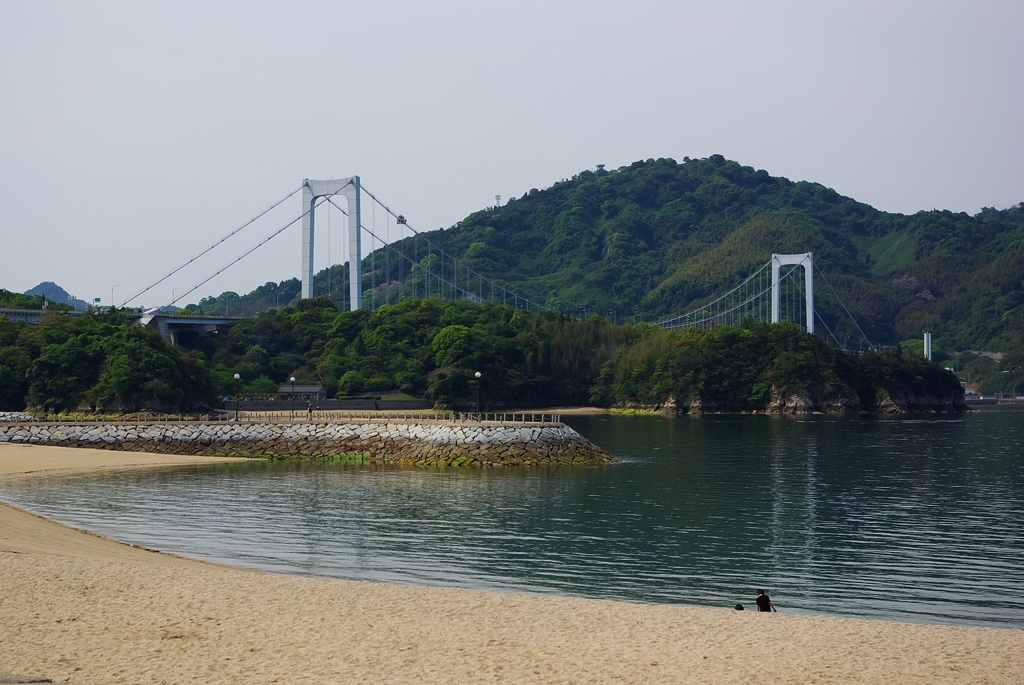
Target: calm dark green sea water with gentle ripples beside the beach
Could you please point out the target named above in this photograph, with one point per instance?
(906, 519)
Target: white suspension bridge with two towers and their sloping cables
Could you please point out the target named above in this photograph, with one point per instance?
(402, 263)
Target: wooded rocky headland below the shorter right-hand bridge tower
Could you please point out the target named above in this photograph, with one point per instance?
(769, 368)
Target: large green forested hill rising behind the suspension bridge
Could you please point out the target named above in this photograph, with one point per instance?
(660, 237)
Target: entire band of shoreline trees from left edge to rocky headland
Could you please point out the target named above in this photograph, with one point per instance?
(434, 350)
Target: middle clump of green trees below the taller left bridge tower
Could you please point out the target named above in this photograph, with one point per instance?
(423, 349)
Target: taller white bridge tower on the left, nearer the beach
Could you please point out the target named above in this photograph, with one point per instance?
(312, 191)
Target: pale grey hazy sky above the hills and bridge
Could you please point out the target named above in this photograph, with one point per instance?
(135, 135)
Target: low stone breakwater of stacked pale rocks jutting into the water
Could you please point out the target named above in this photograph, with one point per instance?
(398, 443)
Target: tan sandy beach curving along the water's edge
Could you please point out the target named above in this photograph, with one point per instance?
(79, 609)
